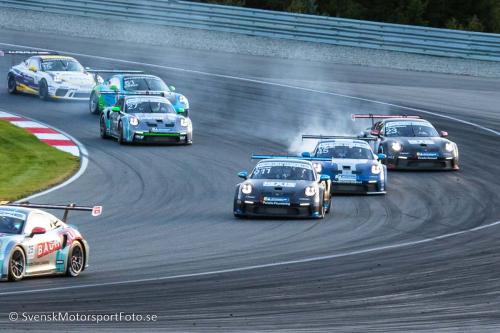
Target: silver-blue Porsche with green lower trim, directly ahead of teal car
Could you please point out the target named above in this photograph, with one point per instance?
(147, 118)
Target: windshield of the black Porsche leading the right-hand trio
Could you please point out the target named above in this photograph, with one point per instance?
(283, 170)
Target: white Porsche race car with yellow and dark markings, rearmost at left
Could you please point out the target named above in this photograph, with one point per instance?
(50, 76)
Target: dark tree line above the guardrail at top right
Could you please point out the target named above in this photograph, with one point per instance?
(476, 15)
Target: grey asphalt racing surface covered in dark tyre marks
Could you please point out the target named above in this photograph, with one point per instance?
(167, 243)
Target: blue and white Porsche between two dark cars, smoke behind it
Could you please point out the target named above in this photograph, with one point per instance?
(350, 163)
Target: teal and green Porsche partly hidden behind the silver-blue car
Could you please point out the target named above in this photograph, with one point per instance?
(106, 94)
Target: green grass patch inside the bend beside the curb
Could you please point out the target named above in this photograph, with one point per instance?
(28, 165)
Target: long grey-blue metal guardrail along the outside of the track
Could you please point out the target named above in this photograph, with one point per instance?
(254, 22)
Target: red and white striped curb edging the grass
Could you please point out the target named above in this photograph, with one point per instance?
(44, 133)
